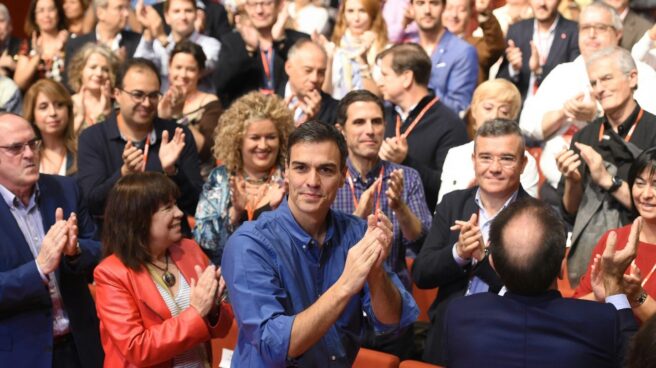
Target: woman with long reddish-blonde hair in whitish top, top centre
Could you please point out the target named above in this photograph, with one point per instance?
(360, 34)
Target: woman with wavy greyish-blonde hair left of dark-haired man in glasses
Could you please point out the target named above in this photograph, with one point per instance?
(92, 74)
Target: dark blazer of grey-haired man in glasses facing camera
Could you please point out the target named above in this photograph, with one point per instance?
(435, 266)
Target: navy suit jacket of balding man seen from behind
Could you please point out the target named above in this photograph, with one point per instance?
(512, 331)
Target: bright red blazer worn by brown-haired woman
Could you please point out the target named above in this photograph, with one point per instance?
(136, 327)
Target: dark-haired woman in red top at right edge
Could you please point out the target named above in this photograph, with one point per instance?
(639, 279)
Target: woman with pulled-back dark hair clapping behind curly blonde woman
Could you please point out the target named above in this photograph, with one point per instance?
(197, 110)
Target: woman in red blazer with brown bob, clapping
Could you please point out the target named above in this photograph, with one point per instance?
(157, 299)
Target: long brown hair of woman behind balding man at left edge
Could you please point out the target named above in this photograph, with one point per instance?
(56, 92)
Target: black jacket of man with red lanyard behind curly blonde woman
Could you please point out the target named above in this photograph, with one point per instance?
(238, 72)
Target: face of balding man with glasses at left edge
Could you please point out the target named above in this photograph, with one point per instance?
(21, 171)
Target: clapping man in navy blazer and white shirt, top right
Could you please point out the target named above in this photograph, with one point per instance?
(537, 45)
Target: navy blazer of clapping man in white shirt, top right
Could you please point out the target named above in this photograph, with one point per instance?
(564, 48)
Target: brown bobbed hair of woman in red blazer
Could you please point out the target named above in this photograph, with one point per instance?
(129, 213)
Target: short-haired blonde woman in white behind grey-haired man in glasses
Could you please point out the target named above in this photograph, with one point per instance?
(492, 99)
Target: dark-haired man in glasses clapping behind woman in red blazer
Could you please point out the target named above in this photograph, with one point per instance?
(134, 139)
